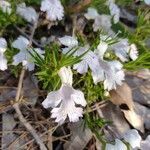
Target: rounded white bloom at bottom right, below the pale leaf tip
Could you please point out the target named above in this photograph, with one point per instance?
(133, 138)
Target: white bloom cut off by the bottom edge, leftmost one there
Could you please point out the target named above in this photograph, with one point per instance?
(119, 145)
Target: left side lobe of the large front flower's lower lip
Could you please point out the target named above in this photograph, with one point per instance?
(53, 99)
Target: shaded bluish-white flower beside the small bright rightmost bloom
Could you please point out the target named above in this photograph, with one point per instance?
(121, 49)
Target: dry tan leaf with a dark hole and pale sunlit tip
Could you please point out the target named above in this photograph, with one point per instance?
(122, 96)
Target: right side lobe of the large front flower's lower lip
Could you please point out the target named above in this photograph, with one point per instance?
(78, 97)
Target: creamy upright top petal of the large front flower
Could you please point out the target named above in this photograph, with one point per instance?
(66, 75)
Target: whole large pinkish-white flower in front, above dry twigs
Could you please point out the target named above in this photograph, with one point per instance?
(64, 100)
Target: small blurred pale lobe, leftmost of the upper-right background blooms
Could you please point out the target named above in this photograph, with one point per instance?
(91, 14)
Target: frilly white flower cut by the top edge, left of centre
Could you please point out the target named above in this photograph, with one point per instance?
(53, 8)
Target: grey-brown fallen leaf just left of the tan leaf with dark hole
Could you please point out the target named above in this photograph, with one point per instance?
(119, 124)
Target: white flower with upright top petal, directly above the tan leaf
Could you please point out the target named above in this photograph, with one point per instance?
(108, 71)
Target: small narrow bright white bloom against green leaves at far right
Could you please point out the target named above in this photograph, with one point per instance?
(133, 52)
